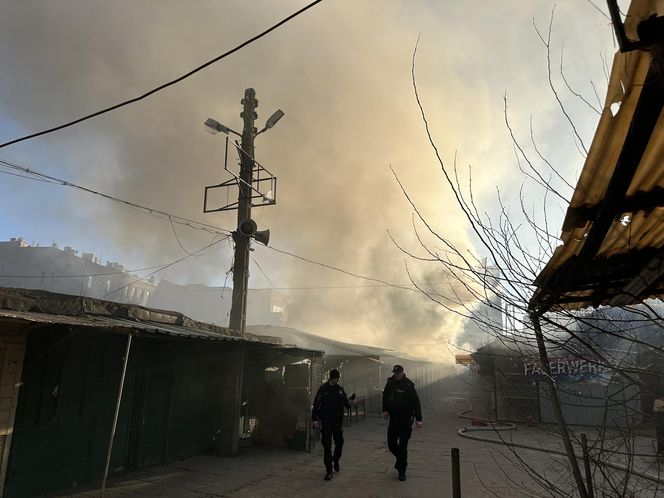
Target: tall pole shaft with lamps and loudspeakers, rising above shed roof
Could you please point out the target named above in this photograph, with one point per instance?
(238, 316)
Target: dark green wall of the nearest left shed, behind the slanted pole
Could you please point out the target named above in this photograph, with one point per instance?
(171, 406)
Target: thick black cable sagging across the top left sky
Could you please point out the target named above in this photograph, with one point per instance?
(165, 85)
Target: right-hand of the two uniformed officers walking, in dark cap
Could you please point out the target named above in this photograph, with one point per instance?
(401, 405)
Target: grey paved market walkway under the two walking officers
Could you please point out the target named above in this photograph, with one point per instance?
(366, 466)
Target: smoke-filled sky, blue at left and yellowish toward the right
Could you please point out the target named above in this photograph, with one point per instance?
(341, 72)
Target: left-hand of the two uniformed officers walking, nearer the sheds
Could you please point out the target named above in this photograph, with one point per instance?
(328, 414)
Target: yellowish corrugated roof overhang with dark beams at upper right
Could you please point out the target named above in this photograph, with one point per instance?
(612, 250)
